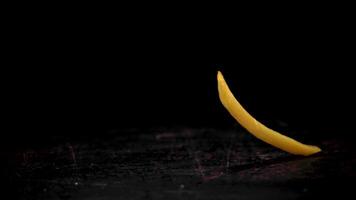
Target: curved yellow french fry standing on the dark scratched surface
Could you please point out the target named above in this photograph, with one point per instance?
(258, 129)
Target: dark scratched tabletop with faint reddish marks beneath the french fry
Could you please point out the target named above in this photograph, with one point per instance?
(182, 163)
